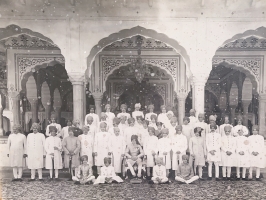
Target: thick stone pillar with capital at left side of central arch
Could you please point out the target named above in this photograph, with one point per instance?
(77, 79)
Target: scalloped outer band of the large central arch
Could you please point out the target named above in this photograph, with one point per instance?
(138, 30)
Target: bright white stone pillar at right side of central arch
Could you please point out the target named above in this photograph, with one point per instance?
(199, 95)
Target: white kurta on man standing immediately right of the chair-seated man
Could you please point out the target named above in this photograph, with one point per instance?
(151, 144)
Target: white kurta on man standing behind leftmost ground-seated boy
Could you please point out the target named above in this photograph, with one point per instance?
(86, 144)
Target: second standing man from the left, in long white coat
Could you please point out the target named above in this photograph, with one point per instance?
(36, 151)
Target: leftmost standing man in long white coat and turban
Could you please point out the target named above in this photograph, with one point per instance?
(17, 151)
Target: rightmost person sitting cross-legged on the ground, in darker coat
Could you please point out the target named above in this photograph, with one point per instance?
(185, 172)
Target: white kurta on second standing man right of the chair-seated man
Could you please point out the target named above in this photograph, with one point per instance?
(164, 145)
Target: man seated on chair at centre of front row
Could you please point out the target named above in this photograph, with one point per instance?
(134, 153)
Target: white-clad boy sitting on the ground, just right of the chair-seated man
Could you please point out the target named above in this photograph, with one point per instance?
(159, 172)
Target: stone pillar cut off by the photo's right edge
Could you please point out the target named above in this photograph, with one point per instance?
(262, 114)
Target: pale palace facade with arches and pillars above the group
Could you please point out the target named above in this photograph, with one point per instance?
(62, 56)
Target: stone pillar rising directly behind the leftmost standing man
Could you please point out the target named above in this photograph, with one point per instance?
(14, 98)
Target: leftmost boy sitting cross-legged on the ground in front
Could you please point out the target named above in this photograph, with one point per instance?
(84, 172)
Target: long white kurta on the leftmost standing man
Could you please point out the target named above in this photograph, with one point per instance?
(16, 148)
